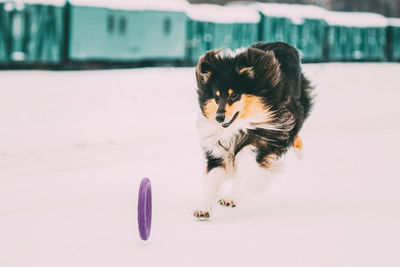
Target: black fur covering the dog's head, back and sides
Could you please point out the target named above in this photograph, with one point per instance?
(276, 77)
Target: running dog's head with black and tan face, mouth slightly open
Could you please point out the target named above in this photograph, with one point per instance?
(235, 86)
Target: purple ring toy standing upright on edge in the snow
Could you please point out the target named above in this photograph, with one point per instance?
(144, 209)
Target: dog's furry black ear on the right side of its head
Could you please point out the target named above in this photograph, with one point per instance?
(259, 64)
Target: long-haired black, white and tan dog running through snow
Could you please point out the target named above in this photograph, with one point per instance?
(253, 104)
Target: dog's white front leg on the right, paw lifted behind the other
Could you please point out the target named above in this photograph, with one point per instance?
(251, 176)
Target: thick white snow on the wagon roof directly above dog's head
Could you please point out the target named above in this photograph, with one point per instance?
(222, 14)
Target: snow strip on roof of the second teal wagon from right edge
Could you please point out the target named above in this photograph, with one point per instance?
(356, 19)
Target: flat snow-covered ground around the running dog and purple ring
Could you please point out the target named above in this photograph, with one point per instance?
(75, 145)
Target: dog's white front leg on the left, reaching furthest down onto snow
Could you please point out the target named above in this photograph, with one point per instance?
(212, 184)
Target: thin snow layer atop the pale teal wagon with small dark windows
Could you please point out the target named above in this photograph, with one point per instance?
(170, 5)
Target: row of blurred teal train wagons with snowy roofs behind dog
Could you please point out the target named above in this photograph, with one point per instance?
(63, 33)
